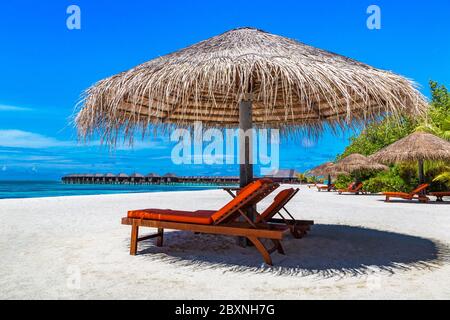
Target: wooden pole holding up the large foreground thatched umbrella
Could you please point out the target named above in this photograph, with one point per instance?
(245, 150)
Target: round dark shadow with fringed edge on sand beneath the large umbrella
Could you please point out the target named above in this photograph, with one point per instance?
(329, 250)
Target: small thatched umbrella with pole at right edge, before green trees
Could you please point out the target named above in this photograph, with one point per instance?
(418, 146)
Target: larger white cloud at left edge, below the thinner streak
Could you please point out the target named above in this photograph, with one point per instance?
(25, 139)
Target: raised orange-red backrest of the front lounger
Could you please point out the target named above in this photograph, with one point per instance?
(243, 198)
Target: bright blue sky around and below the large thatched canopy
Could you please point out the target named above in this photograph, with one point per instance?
(45, 67)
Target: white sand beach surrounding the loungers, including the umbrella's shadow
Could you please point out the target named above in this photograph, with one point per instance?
(360, 248)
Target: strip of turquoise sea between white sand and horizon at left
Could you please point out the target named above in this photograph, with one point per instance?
(38, 189)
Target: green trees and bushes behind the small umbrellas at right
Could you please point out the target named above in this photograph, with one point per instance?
(404, 176)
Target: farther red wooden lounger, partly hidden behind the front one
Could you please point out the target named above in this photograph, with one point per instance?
(298, 228)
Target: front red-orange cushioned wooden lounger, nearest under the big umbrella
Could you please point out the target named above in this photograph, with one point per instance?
(222, 221)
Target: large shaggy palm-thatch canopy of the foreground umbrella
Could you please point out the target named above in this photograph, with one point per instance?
(292, 85)
